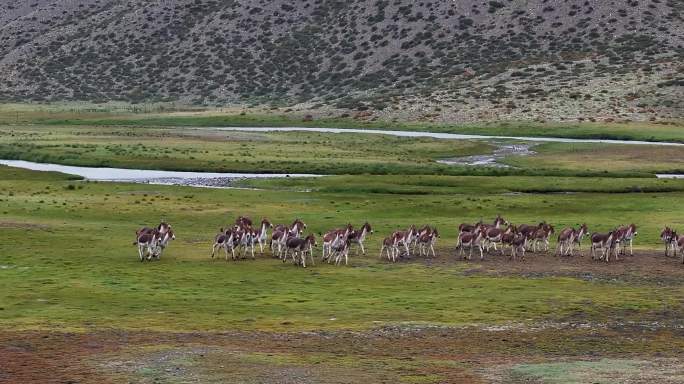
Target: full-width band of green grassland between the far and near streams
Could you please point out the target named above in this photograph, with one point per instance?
(320, 153)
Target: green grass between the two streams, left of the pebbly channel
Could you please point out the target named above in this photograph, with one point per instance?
(202, 150)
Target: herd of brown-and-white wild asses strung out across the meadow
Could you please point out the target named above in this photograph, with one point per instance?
(287, 242)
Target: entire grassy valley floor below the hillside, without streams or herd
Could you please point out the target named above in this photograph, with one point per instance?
(70, 278)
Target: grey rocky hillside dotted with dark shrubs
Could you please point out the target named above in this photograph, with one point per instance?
(451, 60)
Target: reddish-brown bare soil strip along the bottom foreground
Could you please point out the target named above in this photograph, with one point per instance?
(386, 355)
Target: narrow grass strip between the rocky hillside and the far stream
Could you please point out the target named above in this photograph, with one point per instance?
(149, 116)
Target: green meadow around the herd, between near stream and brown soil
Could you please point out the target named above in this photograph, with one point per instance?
(67, 259)
